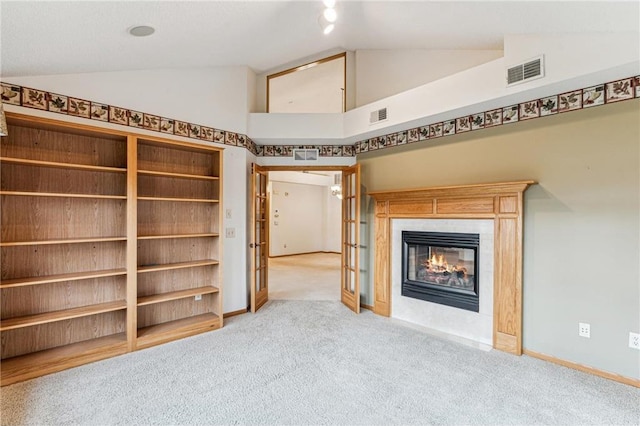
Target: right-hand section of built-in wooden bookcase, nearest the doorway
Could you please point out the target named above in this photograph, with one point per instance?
(178, 239)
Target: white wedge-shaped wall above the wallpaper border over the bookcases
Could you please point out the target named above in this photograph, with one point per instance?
(215, 97)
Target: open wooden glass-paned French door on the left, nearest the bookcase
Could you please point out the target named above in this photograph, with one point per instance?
(259, 238)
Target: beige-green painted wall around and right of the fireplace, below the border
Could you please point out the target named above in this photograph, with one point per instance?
(582, 220)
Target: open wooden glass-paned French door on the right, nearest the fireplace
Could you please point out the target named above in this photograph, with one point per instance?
(350, 282)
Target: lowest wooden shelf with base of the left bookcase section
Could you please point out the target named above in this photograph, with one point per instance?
(36, 364)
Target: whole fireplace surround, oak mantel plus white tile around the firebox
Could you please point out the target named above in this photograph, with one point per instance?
(493, 212)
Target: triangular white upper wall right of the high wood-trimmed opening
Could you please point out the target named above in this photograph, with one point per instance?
(382, 73)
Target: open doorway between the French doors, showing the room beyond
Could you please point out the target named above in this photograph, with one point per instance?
(304, 248)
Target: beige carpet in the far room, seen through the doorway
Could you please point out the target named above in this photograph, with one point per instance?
(314, 276)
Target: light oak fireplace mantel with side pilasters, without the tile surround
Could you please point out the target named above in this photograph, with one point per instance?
(502, 202)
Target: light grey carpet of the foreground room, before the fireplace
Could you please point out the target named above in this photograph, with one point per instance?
(314, 362)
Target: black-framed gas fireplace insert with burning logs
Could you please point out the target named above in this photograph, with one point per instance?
(441, 267)
